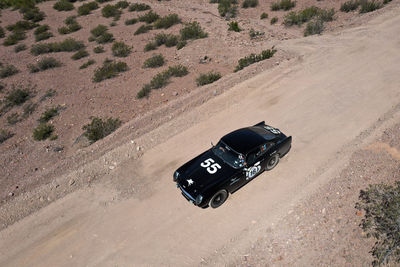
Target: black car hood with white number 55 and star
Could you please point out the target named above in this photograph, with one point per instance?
(194, 178)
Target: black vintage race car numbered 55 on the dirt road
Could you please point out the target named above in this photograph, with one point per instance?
(238, 157)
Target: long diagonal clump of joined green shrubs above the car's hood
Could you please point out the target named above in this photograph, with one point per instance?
(162, 79)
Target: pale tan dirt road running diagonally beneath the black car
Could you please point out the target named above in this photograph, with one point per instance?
(338, 87)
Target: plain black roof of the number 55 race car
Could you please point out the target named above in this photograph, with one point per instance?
(246, 139)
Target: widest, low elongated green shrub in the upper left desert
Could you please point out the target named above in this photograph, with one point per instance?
(68, 45)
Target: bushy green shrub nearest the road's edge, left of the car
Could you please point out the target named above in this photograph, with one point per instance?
(99, 128)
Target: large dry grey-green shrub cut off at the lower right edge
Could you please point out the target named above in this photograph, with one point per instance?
(381, 221)
